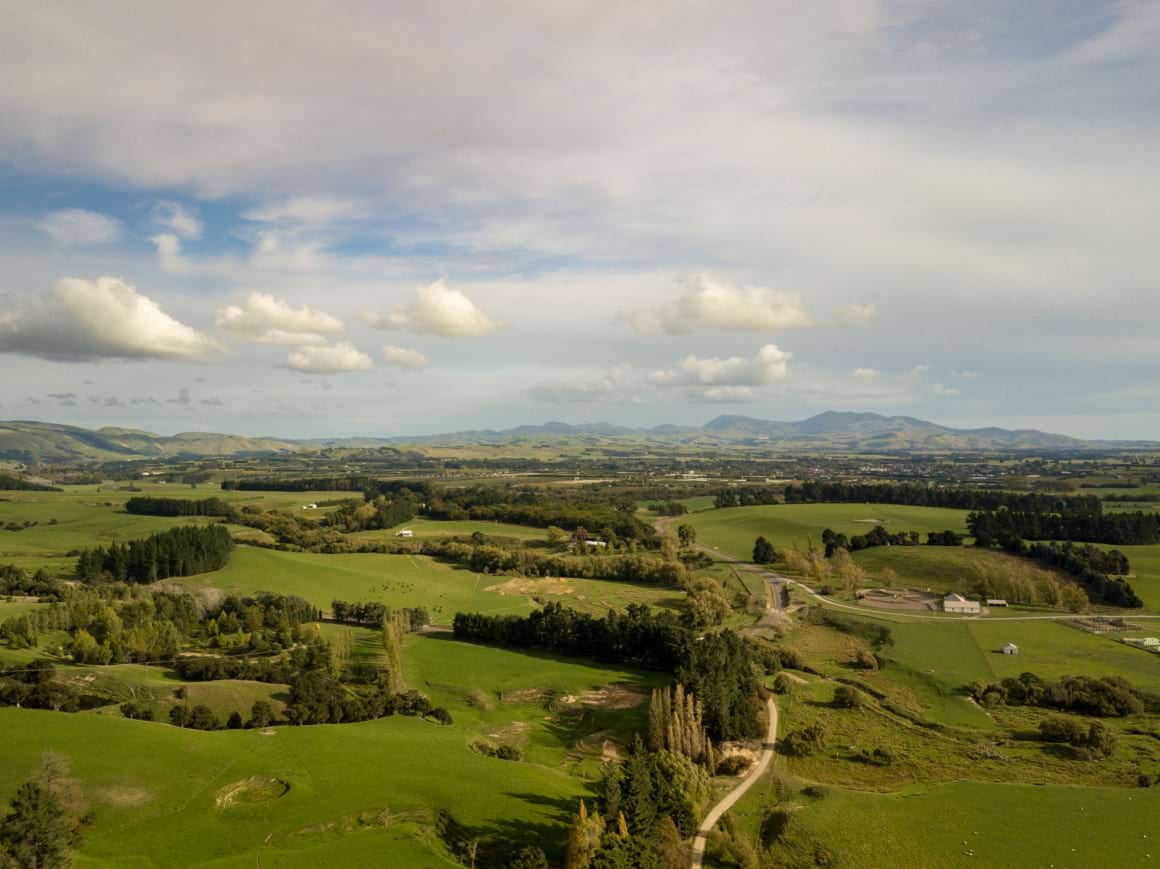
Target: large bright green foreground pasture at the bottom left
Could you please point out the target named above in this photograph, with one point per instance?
(156, 791)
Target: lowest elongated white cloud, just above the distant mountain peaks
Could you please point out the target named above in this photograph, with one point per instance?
(734, 379)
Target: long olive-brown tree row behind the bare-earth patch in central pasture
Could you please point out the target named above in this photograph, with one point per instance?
(532, 563)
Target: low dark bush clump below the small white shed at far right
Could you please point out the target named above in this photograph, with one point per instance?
(1105, 698)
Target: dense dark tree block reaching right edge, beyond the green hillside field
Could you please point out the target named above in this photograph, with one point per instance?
(1093, 526)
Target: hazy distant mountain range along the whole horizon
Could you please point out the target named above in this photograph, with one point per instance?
(46, 443)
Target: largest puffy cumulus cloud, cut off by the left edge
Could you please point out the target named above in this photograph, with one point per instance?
(81, 320)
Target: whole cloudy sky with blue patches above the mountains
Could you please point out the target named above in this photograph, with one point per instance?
(382, 219)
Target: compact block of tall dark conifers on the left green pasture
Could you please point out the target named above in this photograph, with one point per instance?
(178, 553)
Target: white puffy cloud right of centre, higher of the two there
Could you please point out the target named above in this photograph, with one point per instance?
(710, 302)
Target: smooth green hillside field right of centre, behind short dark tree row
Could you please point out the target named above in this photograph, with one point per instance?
(734, 530)
